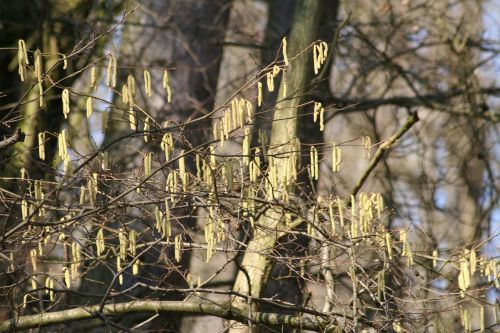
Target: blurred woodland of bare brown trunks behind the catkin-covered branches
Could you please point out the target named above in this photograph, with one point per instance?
(386, 60)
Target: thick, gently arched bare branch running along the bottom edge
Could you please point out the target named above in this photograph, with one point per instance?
(221, 311)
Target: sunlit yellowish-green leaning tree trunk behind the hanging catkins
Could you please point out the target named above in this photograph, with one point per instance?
(256, 265)
